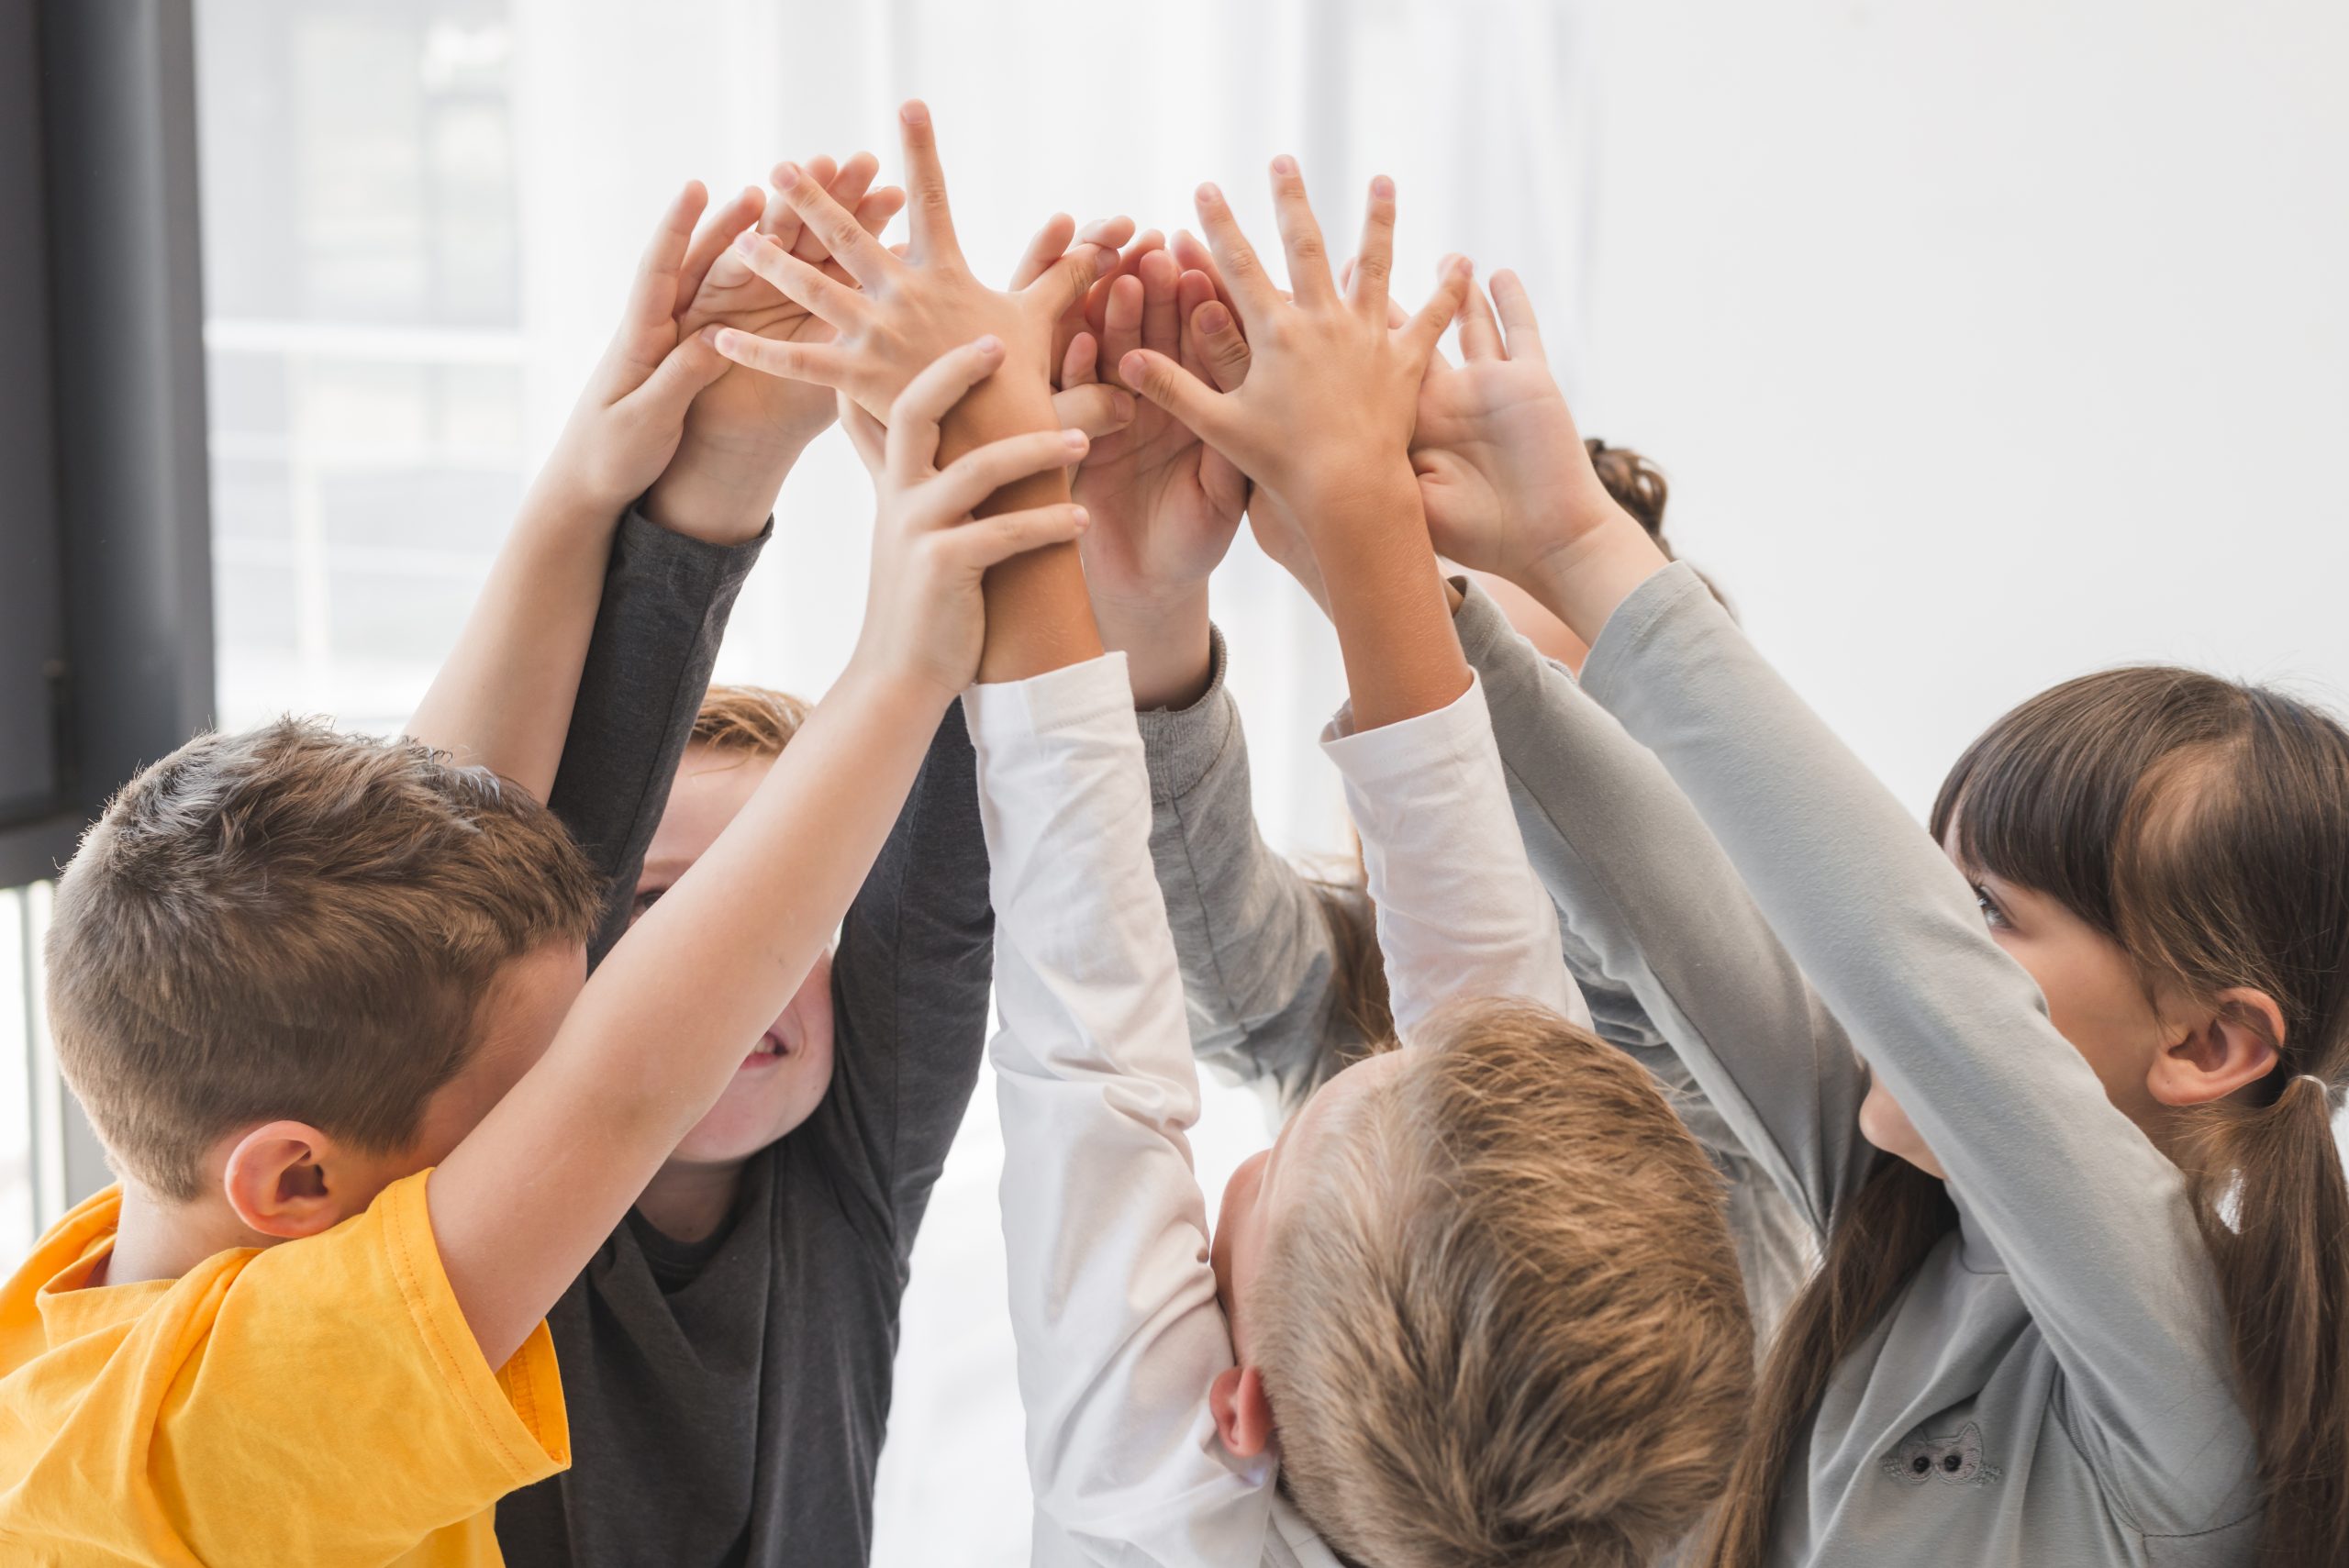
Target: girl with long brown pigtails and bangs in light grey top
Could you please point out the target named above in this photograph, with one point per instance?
(2061, 1111)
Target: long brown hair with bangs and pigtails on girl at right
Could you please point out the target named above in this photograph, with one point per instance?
(2205, 827)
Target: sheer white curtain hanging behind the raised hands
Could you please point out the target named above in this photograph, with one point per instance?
(1481, 111)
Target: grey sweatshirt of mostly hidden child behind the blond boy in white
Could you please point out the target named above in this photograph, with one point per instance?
(1260, 964)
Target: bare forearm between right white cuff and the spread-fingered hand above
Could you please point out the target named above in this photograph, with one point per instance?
(1389, 607)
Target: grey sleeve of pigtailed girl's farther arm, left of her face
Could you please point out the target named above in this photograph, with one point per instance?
(1664, 914)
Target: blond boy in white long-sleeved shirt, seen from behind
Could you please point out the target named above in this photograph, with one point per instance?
(1479, 1304)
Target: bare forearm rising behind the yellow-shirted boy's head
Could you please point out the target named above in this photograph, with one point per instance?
(504, 696)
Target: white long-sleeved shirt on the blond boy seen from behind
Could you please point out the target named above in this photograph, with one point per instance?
(1115, 1311)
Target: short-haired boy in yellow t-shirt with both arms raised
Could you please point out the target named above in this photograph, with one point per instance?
(323, 999)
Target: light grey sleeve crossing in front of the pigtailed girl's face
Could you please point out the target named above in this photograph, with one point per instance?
(2087, 1215)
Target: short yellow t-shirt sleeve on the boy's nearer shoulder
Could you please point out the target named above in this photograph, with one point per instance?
(339, 1410)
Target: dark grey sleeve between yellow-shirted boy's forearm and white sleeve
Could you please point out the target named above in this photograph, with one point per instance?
(910, 999)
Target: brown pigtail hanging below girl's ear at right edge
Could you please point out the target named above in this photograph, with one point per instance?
(2275, 1212)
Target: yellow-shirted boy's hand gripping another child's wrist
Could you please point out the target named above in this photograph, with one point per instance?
(924, 611)
